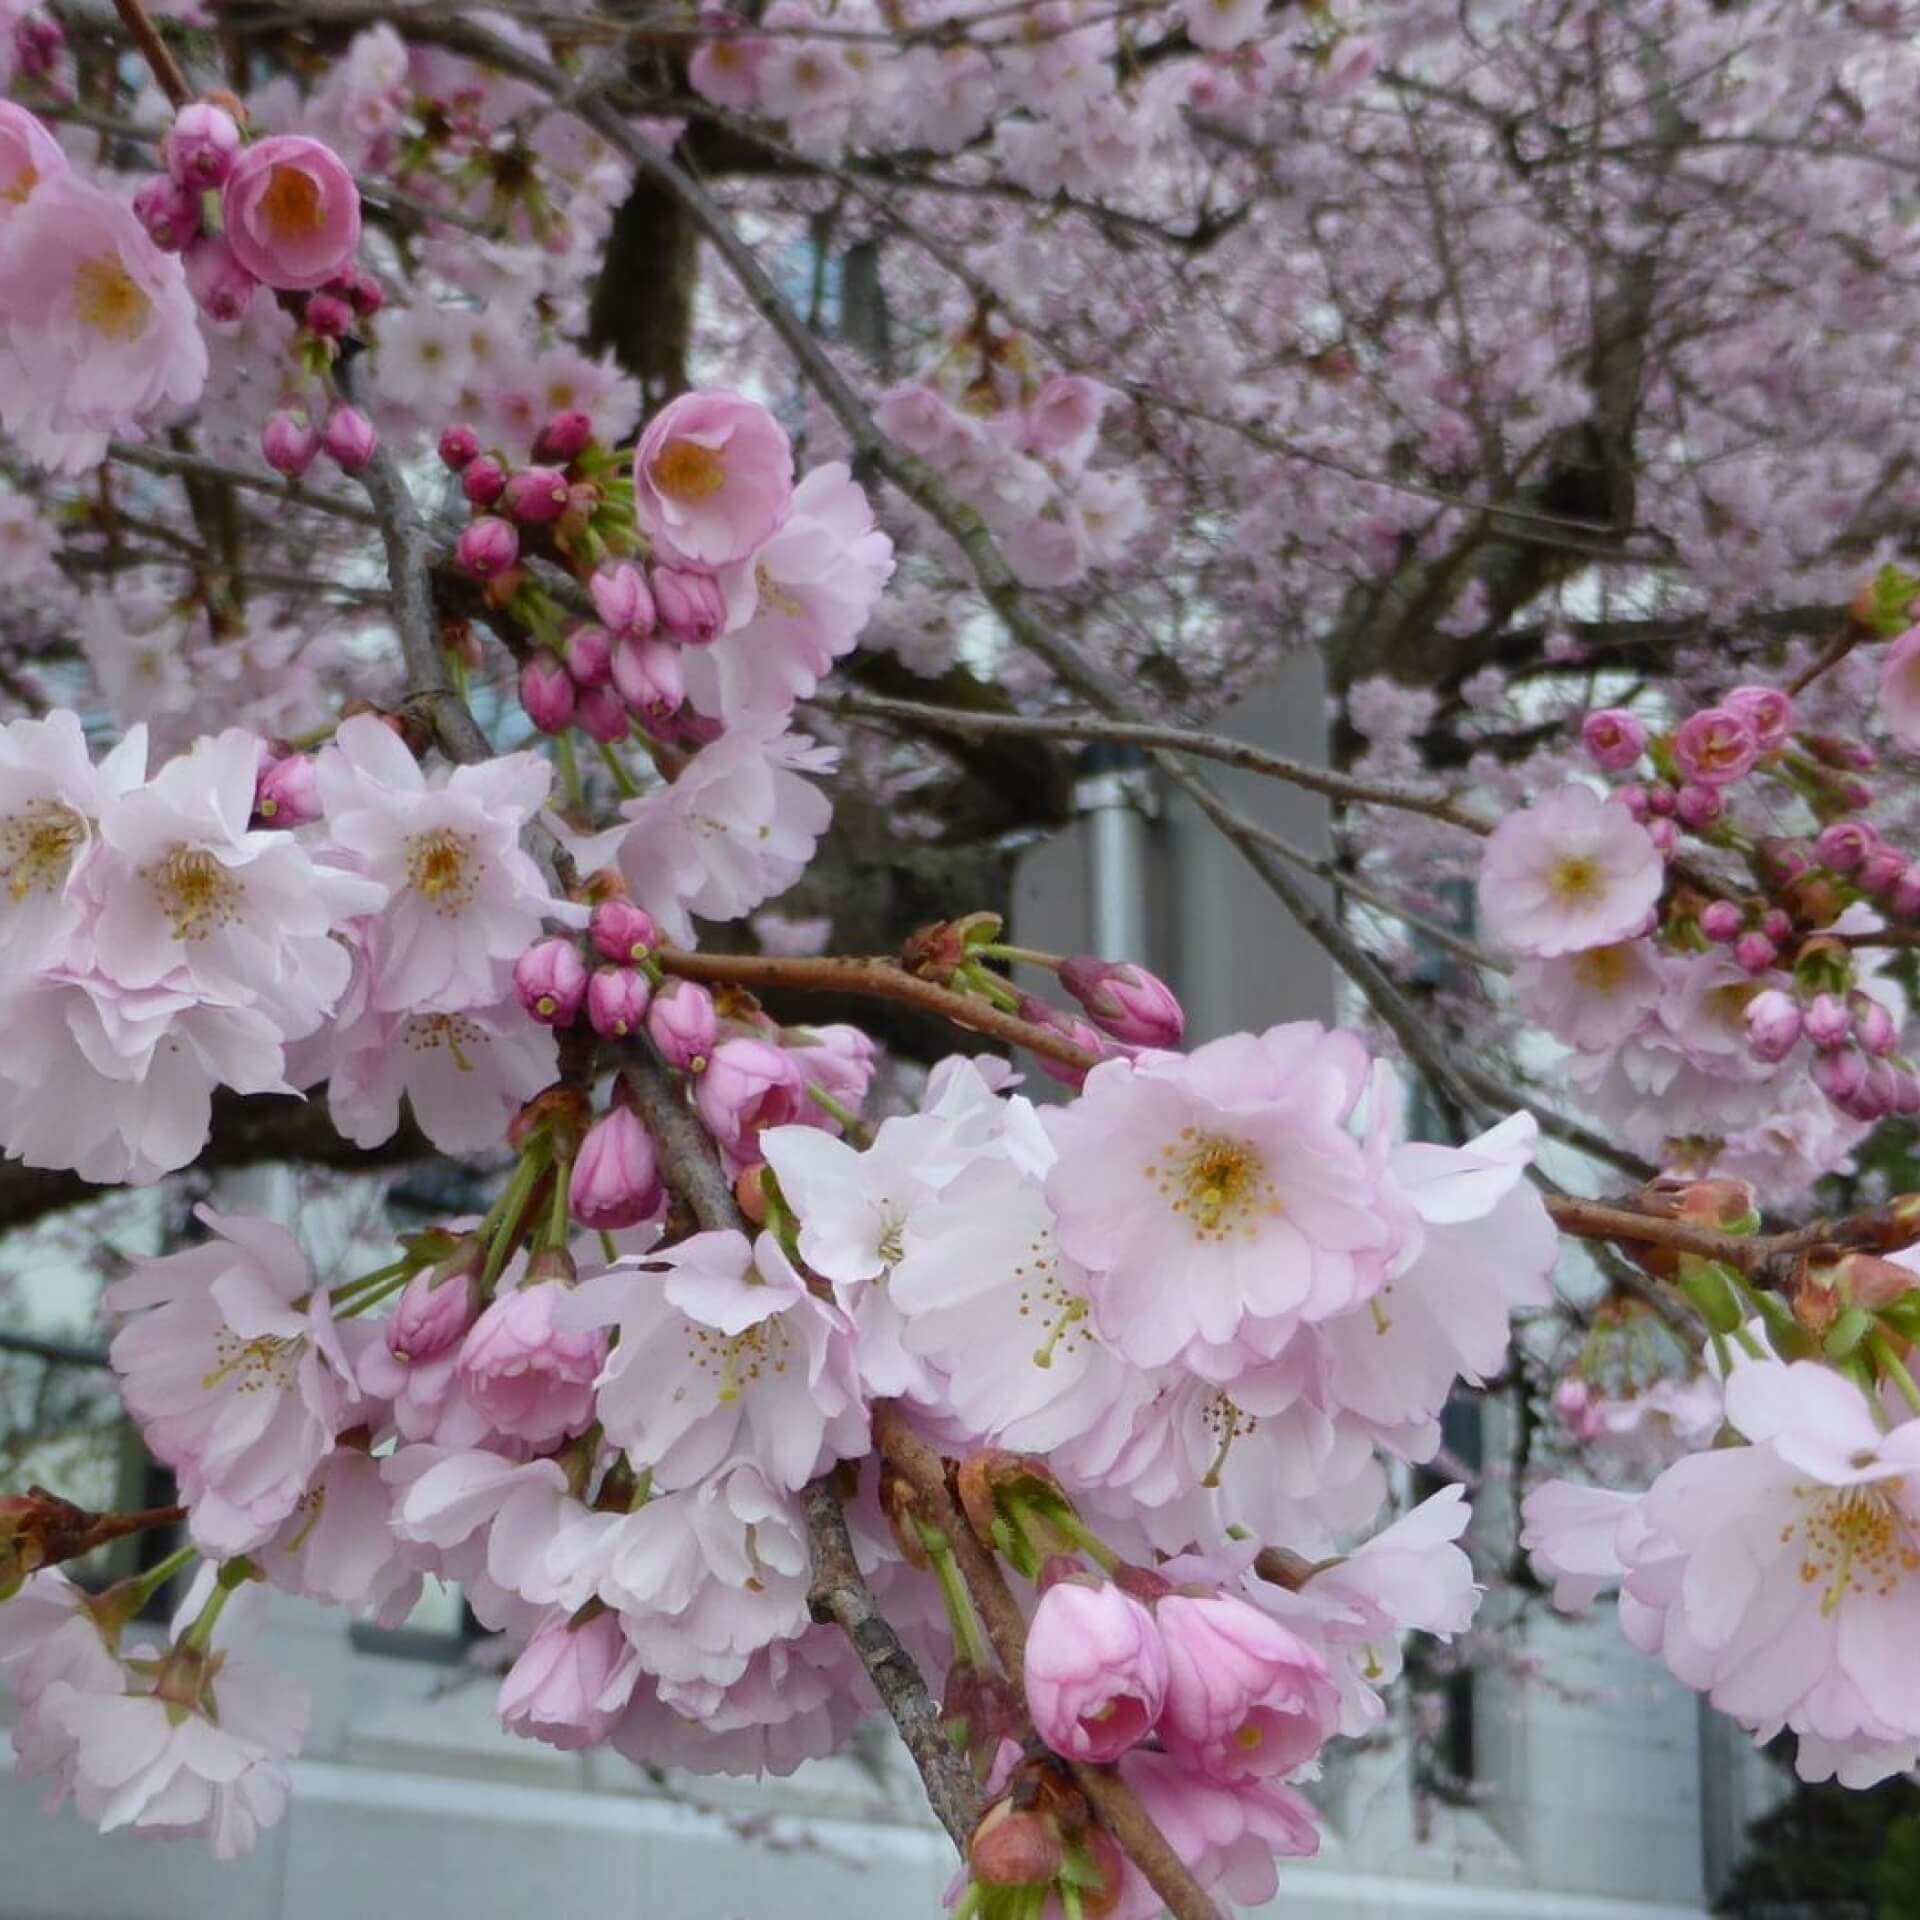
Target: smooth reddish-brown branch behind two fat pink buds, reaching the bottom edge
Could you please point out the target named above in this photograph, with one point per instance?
(1111, 1798)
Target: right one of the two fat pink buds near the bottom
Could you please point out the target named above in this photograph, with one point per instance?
(1245, 1696)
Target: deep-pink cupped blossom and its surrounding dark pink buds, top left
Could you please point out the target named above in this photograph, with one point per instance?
(279, 212)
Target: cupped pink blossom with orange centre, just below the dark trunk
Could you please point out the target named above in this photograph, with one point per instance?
(713, 477)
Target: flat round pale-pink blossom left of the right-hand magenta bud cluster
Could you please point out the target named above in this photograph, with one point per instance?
(1566, 875)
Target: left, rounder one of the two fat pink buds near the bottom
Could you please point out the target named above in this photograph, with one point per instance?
(1097, 1671)
